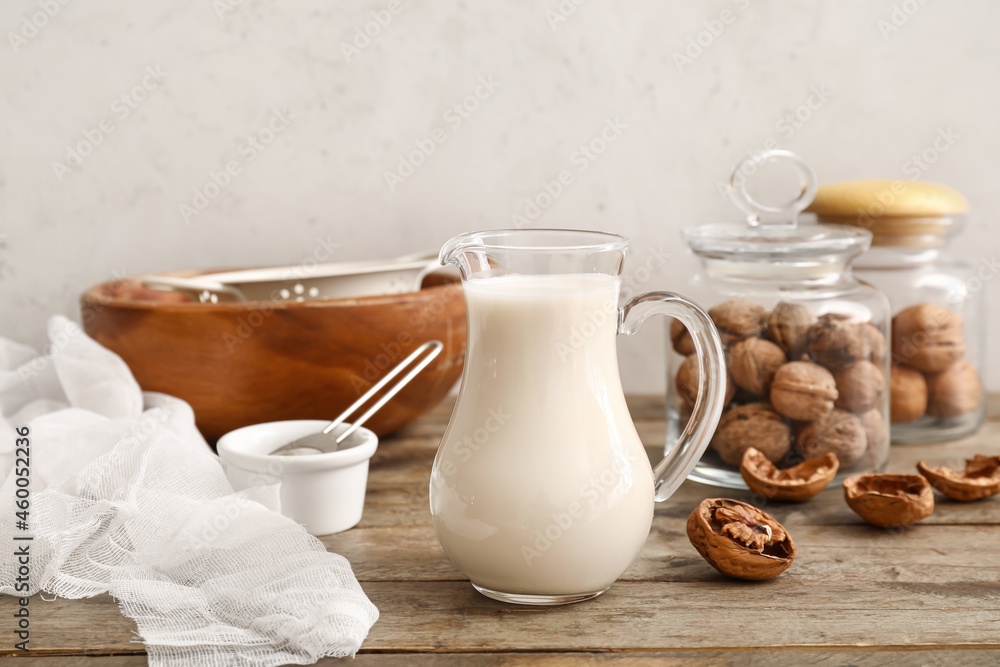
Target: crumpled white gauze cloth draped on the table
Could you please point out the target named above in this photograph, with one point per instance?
(128, 499)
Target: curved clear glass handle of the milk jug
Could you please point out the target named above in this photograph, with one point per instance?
(678, 463)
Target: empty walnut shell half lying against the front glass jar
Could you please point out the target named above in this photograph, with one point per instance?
(796, 484)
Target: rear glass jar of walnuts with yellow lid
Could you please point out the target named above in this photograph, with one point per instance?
(938, 331)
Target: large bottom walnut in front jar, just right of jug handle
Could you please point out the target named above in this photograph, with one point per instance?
(752, 425)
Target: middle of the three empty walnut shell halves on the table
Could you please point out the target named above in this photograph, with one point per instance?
(889, 500)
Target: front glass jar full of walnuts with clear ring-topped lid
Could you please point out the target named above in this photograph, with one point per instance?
(806, 342)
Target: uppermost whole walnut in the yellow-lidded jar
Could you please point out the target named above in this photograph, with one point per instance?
(928, 337)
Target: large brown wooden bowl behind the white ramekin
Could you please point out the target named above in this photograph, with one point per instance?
(253, 362)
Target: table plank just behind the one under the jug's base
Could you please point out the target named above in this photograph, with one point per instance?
(863, 554)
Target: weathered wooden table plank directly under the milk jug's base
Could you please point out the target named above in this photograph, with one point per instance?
(648, 615)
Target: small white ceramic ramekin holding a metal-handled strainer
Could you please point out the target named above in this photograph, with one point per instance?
(323, 492)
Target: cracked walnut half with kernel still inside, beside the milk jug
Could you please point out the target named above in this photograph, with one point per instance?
(739, 540)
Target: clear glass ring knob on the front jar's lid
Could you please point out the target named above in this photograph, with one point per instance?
(762, 215)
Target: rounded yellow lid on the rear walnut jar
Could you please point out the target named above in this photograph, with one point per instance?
(897, 212)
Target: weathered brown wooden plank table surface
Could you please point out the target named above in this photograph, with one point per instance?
(925, 595)
